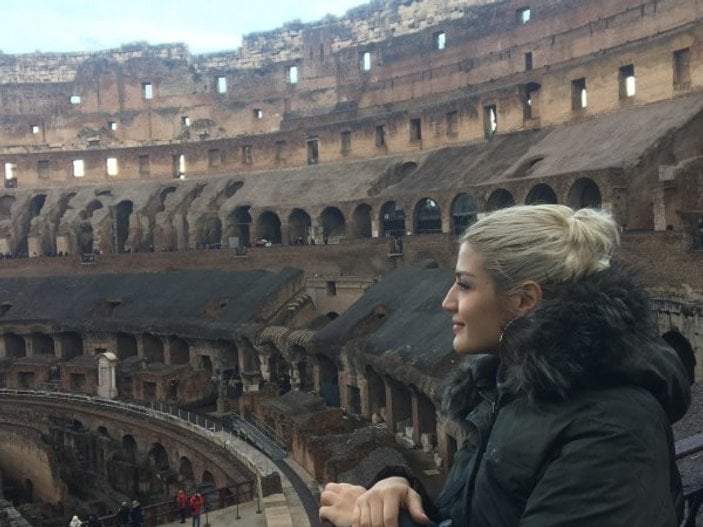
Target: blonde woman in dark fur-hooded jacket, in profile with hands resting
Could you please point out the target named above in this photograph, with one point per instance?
(567, 405)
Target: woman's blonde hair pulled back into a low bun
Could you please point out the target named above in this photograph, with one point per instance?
(550, 244)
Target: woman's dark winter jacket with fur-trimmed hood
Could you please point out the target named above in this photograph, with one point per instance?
(579, 432)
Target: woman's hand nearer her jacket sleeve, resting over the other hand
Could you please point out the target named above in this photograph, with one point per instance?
(380, 505)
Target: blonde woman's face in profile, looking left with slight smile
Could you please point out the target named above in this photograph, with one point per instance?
(478, 312)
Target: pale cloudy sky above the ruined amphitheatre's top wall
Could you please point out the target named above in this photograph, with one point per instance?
(204, 25)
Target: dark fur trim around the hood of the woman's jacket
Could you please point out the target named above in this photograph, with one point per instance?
(594, 332)
